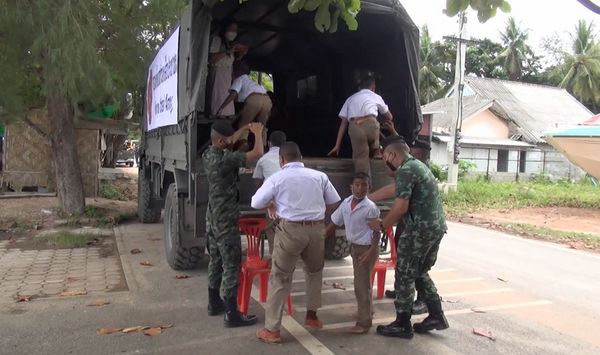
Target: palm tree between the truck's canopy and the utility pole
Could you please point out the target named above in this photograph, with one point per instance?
(429, 73)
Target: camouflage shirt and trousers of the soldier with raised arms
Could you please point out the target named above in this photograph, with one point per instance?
(224, 243)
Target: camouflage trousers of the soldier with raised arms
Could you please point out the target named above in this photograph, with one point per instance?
(225, 250)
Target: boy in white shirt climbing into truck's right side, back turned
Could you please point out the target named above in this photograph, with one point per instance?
(359, 115)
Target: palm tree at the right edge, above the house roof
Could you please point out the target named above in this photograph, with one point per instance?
(582, 67)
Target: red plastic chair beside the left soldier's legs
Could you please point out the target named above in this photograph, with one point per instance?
(254, 265)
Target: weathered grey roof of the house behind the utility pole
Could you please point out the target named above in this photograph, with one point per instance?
(533, 108)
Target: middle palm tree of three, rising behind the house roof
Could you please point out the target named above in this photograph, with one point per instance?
(516, 49)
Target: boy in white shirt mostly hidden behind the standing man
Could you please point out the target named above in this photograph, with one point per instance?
(266, 166)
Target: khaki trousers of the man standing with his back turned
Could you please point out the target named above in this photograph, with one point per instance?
(294, 241)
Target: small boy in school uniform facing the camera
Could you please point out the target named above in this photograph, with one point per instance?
(354, 213)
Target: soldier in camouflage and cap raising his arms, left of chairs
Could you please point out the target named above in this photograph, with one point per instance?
(224, 243)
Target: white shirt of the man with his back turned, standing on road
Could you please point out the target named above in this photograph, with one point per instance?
(299, 193)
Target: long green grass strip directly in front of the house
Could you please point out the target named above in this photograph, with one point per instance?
(479, 195)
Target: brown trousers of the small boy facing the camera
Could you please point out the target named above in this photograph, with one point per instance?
(362, 284)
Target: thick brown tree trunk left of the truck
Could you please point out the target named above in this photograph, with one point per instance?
(69, 183)
